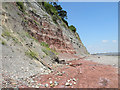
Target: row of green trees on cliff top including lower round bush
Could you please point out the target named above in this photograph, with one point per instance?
(56, 10)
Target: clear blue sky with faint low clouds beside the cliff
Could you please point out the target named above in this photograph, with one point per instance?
(96, 24)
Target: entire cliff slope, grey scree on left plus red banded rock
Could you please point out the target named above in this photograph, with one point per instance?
(32, 33)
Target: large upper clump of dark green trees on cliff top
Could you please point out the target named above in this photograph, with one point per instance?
(56, 12)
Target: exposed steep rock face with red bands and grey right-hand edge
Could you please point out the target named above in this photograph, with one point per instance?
(57, 36)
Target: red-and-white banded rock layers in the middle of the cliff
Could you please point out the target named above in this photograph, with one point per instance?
(47, 32)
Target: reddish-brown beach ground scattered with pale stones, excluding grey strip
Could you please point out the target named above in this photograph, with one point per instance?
(80, 74)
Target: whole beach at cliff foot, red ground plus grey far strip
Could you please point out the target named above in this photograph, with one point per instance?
(87, 72)
